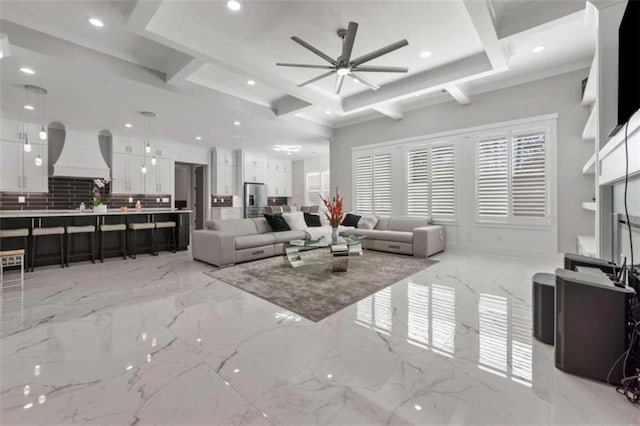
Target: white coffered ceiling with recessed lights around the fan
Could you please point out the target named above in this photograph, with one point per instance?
(192, 59)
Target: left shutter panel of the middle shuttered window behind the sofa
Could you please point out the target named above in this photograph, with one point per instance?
(418, 183)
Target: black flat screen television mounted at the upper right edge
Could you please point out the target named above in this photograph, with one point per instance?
(629, 63)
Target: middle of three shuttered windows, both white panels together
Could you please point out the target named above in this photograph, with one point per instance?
(431, 182)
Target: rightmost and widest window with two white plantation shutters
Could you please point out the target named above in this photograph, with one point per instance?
(512, 178)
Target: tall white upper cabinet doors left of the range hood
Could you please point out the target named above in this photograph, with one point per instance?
(18, 170)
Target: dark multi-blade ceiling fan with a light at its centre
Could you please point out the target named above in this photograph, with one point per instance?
(343, 65)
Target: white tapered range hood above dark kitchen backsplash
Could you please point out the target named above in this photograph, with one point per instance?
(81, 157)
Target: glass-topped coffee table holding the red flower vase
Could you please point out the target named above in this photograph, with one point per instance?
(340, 251)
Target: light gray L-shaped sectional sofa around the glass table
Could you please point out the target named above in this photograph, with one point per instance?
(226, 242)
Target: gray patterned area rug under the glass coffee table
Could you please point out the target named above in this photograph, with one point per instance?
(313, 291)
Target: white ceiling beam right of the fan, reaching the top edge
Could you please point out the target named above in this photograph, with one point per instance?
(480, 14)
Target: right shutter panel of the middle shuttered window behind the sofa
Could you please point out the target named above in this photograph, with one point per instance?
(443, 181)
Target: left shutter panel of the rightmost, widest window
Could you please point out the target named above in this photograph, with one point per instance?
(492, 178)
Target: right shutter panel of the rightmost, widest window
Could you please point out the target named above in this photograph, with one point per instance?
(528, 176)
